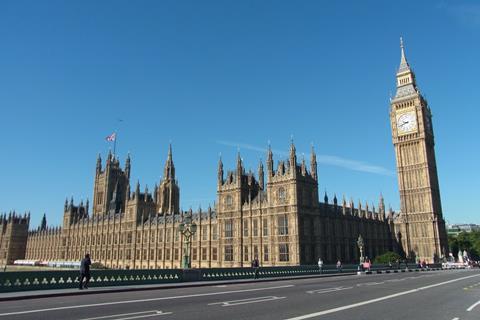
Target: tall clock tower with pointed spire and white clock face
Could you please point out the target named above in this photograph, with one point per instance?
(420, 226)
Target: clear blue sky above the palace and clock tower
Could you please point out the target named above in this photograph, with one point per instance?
(212, 76)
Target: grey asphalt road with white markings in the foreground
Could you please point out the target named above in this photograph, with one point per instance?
(451, 295)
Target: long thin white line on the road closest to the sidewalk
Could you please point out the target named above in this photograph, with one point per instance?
(142, 300)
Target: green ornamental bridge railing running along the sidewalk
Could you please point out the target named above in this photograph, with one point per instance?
(42, 280)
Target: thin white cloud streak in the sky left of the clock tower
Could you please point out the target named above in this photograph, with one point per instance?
(337, 161)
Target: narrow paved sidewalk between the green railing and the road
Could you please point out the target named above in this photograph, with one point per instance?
(34, 294)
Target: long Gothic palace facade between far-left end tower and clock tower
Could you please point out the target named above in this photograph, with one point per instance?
(280, 221)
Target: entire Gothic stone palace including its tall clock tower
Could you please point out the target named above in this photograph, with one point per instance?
(275, 215)
